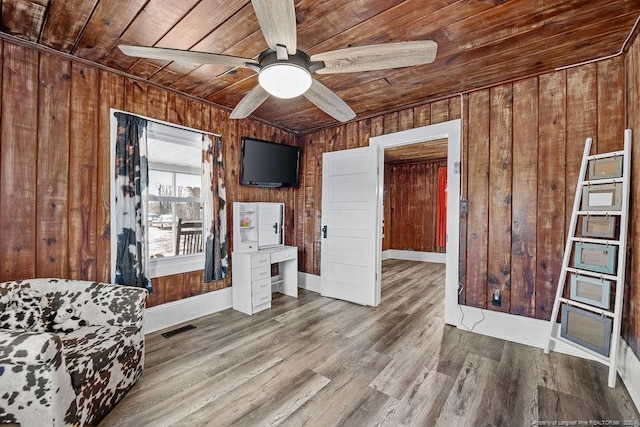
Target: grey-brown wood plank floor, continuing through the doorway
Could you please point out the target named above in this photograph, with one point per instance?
(322, 362)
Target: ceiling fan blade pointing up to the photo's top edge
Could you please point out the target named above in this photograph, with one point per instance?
(277, 19)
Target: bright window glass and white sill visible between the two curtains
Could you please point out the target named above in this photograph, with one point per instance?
(174, 203)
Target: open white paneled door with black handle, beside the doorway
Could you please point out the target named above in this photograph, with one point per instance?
(350, 229)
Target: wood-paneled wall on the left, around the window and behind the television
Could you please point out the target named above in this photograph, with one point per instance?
(55, 171)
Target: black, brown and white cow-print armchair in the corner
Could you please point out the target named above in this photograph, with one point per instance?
(50, 377)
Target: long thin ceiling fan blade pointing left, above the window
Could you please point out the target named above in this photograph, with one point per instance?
(185, 56)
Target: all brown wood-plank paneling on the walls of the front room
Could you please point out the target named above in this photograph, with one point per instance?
(522, 144)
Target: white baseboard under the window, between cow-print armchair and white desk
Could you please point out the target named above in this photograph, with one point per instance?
(176, 312)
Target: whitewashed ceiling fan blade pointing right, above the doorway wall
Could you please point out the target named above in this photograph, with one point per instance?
(377, 57)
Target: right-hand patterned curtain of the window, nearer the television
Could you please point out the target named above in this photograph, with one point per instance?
(216, 263)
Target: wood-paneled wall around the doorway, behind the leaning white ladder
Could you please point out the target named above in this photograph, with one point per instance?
(522, 148)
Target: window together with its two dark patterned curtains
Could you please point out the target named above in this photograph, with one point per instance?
(166, 182)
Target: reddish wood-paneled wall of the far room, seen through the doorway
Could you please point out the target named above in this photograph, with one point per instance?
(411, 194)
